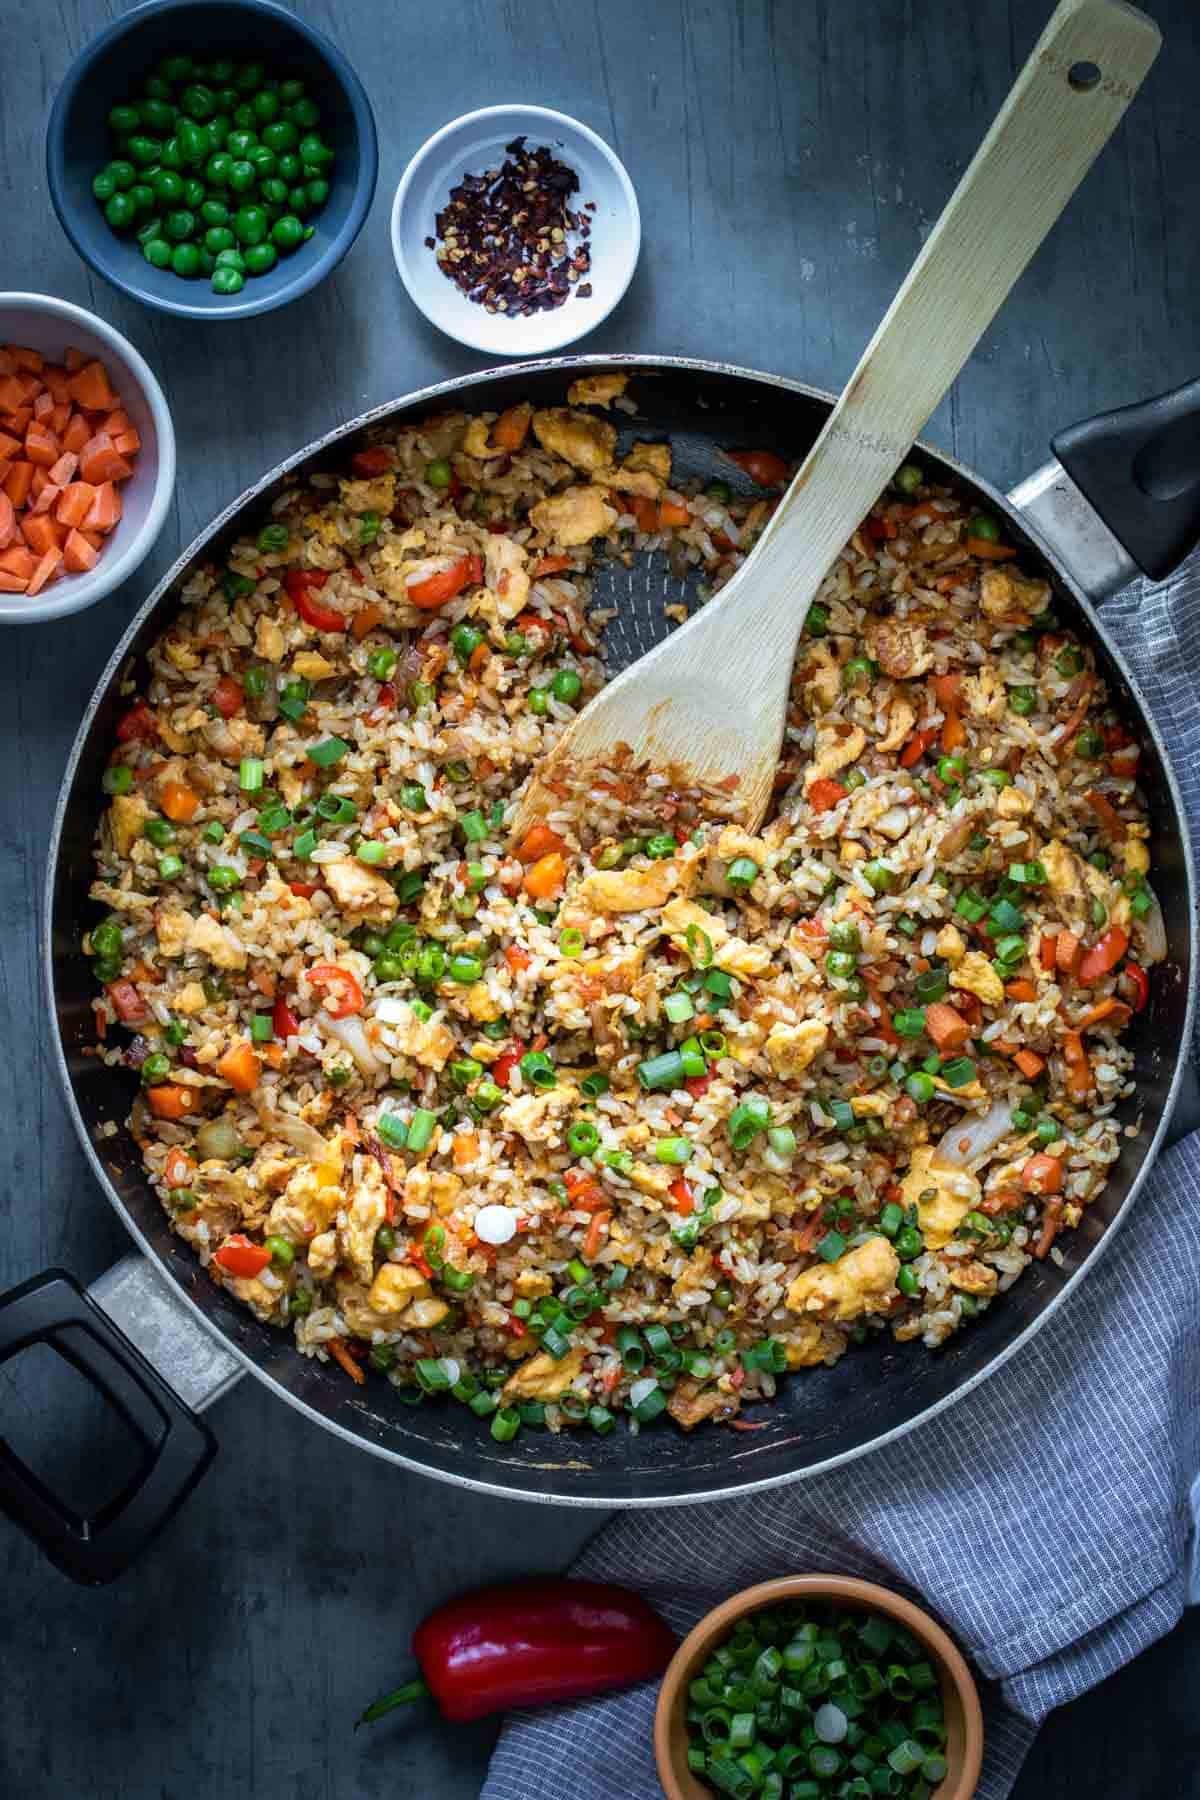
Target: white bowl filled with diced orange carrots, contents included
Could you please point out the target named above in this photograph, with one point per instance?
(87, 458)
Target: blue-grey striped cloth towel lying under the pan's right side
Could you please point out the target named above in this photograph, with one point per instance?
(1044, 1518)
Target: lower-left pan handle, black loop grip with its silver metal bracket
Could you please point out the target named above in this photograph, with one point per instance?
(129, 1369)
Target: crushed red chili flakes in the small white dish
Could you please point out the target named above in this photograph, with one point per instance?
(510, 240)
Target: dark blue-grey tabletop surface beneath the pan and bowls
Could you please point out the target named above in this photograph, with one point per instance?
(789, 159)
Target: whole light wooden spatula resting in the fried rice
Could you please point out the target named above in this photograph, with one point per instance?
(708, 705)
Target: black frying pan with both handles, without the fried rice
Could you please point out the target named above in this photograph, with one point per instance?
(161, 1342)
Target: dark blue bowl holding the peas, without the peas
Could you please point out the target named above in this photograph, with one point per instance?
(112, 69)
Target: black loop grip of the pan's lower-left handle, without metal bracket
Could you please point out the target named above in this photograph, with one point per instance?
(177, 1446)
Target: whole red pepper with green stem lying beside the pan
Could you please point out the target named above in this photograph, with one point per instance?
(530, 1644)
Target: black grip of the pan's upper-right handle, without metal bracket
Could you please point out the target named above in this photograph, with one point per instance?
(1140, 467)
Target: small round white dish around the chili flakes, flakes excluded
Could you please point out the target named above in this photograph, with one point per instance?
(472, 145)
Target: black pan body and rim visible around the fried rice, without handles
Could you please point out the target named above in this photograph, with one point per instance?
(821, 1416)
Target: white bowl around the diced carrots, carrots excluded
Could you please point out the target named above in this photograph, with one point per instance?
(39, 321)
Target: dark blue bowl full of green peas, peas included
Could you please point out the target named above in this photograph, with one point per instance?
(152, 123)
